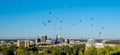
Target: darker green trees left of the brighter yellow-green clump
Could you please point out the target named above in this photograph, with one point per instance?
(34, 50)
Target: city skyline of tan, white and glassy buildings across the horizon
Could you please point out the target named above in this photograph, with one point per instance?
(59, 41)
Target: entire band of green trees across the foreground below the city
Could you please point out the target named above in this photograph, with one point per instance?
(60, 50)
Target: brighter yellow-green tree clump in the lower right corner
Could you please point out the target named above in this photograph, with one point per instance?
(106, 50)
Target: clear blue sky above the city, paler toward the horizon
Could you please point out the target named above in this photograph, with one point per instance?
(26, 21)
